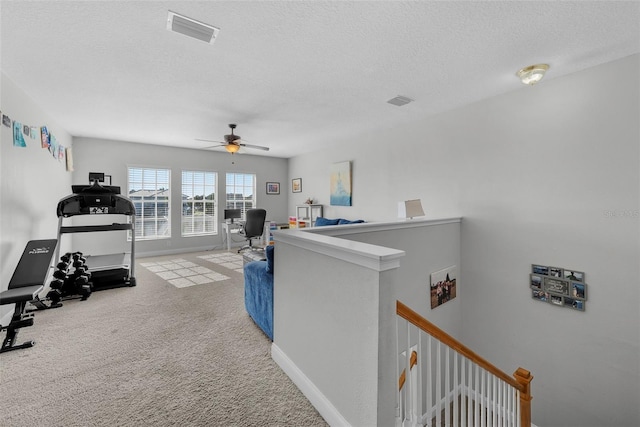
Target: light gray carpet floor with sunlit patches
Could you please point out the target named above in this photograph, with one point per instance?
(151, 355)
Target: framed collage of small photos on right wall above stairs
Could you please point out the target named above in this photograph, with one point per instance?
(558, 286)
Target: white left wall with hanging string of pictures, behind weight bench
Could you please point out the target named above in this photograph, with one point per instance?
(31, 182)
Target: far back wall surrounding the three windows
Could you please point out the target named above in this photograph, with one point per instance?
(113, 158)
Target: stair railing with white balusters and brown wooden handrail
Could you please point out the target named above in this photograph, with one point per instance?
(456, 386)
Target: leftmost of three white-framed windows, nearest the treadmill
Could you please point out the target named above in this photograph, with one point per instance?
(149, 191)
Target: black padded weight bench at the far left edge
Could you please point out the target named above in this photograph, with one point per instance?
(26, 283)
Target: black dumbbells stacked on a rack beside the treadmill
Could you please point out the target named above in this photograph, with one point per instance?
(66, 283)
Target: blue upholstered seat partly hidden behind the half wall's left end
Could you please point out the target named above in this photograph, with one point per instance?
(258, 292)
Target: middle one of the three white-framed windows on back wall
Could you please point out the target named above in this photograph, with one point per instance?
(199, 213)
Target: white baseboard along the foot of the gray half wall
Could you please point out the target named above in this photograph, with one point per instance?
(311, 392)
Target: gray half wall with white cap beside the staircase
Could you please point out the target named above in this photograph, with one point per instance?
(335, 305)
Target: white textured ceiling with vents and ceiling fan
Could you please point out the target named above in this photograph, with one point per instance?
(294, 75)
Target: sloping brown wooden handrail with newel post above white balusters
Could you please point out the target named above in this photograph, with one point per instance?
(522, 376)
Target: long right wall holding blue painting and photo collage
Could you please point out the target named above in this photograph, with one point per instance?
(547, 174)
